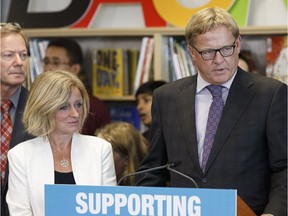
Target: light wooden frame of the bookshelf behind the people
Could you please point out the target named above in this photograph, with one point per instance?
(131, 38)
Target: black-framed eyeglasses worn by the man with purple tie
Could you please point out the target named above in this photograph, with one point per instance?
(210, 54)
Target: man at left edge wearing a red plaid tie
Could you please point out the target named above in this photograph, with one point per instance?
(13, 60)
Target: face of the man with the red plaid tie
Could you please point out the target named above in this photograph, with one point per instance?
(13, 60)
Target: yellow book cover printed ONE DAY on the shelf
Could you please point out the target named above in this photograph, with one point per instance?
(108, 72)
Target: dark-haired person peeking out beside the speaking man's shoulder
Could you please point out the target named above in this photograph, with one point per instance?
(144, 100)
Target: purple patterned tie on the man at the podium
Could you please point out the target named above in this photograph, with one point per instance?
(212, 122)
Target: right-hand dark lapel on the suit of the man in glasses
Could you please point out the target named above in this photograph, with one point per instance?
(240, 95)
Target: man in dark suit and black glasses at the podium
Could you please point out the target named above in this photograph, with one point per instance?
(249, 149)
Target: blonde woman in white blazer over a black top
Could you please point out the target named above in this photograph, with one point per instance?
(58, 154)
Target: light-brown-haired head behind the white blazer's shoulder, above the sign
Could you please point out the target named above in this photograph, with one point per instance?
(129, 148)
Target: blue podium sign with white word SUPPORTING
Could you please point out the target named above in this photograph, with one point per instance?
(123, 200)
